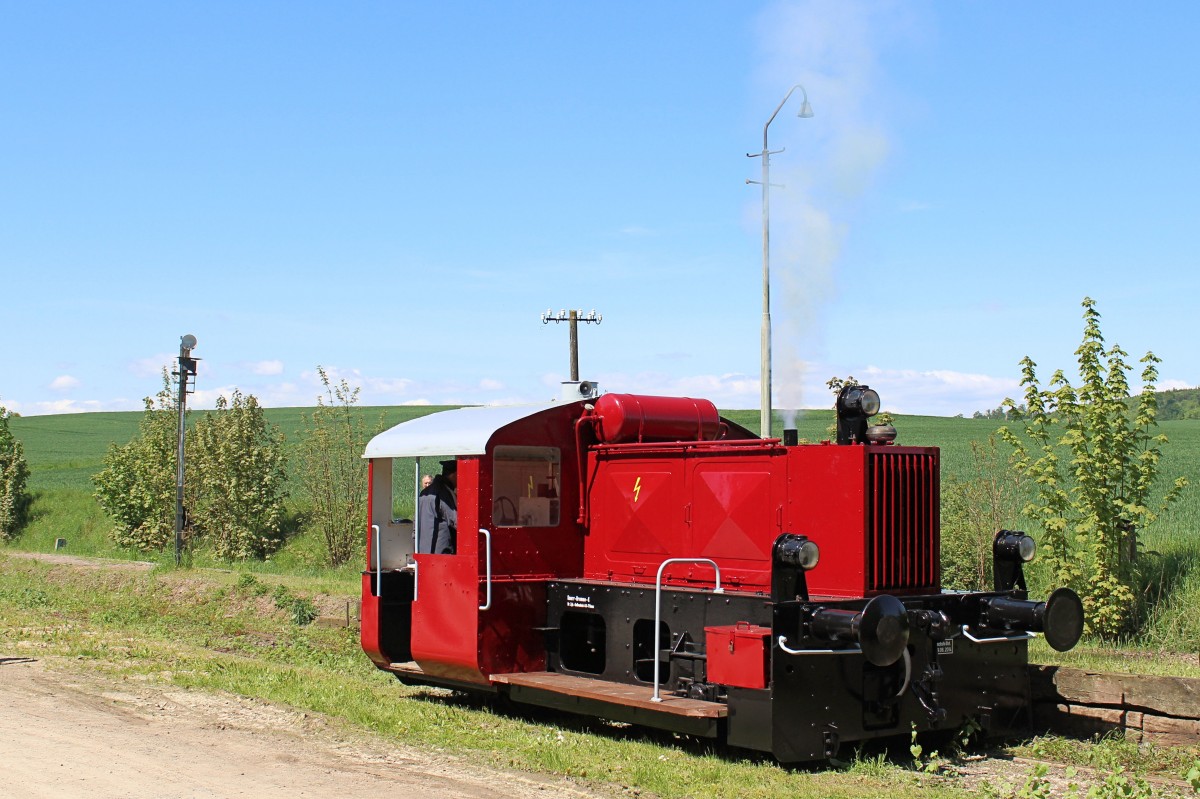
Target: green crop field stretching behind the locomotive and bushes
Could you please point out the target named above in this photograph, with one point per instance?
(64, 452)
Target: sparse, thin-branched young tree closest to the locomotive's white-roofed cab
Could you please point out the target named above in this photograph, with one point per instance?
(333, 471)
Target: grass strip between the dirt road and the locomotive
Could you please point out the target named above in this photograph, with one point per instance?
(225, 632)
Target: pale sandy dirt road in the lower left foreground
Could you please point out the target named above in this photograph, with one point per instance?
(75, 735)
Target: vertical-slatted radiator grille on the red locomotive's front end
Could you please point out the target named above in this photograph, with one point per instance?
(903, 522)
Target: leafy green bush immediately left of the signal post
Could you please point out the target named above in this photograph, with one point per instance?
(137, 485)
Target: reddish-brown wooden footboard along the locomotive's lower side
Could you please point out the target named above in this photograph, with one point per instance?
(615, 701)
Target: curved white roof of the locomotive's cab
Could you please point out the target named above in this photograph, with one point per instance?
(464, 431)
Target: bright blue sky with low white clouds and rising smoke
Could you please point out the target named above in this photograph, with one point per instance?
(397, 191)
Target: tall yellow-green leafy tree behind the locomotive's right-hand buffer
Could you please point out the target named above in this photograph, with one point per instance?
(1094, 459)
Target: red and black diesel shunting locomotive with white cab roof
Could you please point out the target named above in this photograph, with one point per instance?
(644, 560)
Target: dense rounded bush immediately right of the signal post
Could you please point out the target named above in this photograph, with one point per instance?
(239, 467)
